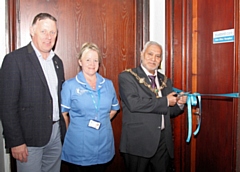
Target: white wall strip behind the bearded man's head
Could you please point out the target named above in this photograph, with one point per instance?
(157, 26)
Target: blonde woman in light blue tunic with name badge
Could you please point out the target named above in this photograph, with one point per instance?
(89, 102)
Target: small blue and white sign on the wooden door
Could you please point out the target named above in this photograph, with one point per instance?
(223, 36)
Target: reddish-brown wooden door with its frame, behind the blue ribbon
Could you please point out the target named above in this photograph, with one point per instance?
(197, 65)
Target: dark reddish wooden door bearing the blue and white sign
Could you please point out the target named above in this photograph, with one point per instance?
(216, 73)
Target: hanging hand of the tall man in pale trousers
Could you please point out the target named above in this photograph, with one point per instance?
(20, 152)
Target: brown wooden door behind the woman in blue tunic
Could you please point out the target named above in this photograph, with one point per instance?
(115, 26)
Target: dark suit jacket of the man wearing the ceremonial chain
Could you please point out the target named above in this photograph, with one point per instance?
(142, 115)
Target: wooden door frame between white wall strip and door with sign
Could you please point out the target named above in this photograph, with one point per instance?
(178, 68)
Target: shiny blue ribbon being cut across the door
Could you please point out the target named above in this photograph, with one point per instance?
(192, 101)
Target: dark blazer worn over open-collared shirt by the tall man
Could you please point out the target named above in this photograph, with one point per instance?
(26, 103)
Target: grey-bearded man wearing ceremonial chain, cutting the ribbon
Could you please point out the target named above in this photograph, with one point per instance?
(146, 140)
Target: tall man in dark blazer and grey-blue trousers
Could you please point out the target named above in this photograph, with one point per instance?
(30, 82)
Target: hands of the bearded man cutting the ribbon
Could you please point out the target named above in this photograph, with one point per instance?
(174, 98)
